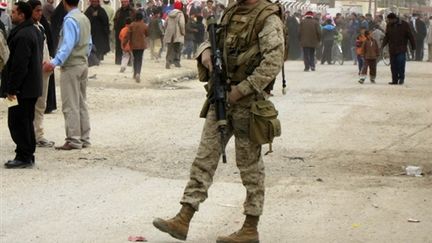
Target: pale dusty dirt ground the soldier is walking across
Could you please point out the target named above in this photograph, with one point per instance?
(336, 173)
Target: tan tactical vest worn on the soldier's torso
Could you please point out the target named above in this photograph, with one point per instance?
(238, 37)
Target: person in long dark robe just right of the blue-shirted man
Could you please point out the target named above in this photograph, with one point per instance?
(99, 28)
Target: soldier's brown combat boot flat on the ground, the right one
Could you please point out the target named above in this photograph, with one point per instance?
(247, 234)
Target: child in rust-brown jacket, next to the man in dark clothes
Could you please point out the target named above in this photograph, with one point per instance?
(370, 53)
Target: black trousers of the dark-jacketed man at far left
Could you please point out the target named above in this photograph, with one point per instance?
(20, 122)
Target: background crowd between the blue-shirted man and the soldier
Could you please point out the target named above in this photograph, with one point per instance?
(172, 26)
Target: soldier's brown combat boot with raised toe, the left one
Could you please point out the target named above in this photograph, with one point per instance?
(178, 226)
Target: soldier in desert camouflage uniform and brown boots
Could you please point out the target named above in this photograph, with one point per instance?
(251, 35)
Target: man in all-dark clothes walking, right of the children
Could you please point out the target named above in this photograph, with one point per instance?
(397, 36)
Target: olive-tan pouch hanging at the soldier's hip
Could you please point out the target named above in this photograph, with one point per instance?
(264, 125)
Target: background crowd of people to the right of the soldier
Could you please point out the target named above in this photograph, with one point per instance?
(361, 38)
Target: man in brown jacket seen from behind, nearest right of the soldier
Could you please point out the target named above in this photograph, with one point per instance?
(310, 37)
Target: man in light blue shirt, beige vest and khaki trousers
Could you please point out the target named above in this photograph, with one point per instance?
(72, 57)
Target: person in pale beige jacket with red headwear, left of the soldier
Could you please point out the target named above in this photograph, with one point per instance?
(174, 35)
